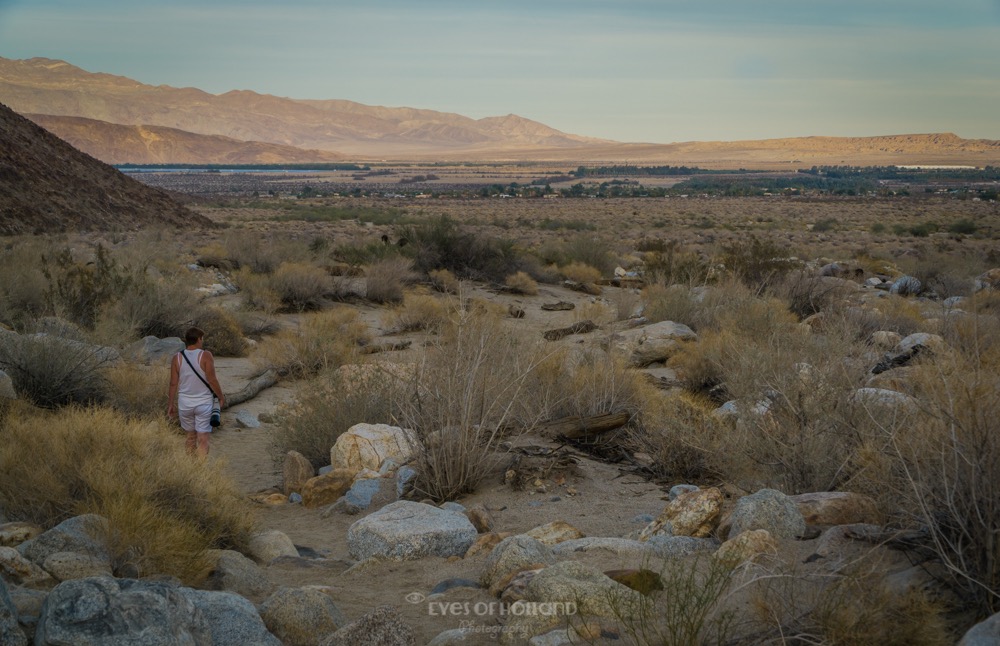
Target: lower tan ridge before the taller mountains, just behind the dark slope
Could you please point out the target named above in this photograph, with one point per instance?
(117, 144)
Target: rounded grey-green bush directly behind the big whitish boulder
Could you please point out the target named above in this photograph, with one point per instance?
(334, 402)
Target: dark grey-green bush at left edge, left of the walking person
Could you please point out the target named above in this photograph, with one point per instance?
(52, 372)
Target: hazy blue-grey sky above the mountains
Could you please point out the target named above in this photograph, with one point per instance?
(630, 70)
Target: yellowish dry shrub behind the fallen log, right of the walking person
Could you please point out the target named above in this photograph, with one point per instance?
(322, 341)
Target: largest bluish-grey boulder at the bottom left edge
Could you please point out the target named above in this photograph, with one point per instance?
(103, 610)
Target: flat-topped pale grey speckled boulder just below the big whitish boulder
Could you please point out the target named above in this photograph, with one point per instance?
(408, 530)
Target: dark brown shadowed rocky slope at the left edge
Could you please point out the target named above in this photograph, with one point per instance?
(47, 185)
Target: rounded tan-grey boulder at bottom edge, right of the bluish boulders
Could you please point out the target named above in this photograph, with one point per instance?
(301, 616)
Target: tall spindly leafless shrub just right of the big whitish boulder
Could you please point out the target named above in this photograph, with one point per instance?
(461, 409)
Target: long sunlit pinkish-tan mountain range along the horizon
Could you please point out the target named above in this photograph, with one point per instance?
(120, 120)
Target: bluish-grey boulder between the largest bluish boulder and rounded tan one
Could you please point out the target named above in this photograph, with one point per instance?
(231, 619)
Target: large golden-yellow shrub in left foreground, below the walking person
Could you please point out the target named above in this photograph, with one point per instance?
(164, 509)
